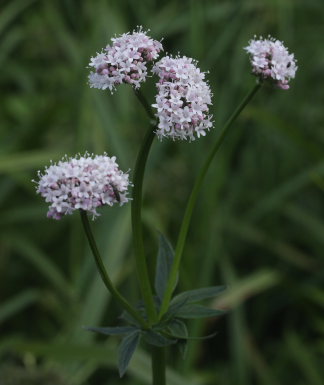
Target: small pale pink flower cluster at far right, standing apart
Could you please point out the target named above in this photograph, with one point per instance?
(270, 59)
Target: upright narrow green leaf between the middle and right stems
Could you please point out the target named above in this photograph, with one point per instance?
(163, 266)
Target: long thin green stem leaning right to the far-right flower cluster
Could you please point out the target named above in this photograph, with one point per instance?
(193, 198)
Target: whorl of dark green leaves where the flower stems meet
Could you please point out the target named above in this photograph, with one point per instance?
(171, 329)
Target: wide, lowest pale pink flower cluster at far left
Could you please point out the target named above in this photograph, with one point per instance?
(85, 182)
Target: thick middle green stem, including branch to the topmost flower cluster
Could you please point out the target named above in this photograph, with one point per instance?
(138, 243)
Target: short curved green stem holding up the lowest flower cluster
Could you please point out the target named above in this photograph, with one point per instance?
(104, 275)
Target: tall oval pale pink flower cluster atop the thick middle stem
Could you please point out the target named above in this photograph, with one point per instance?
(182, 100)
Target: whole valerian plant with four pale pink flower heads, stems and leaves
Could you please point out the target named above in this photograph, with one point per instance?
(87, 182)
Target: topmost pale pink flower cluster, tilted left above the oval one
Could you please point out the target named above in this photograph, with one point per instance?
(124, 61)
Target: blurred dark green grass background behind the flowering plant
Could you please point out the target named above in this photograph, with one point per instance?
(258, 226)
